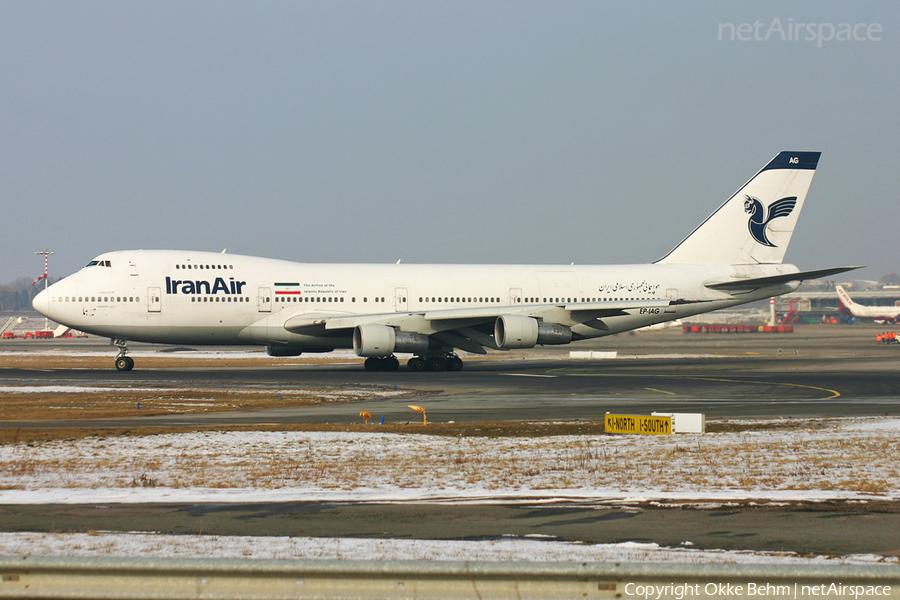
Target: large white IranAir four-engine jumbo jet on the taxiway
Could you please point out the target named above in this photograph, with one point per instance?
(432, 311)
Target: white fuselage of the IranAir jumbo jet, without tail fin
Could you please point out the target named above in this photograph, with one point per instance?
(184, 297)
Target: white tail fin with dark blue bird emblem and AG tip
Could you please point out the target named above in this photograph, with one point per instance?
(754, 225)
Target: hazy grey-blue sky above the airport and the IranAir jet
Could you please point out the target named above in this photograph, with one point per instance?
(512, 132)
